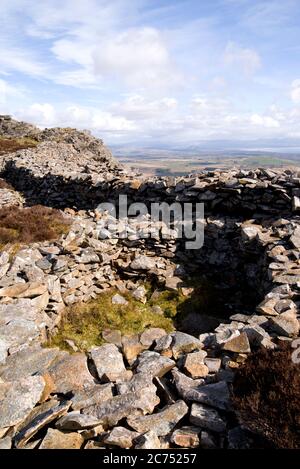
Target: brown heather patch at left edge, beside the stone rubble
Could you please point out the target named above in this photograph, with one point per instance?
(28, 225)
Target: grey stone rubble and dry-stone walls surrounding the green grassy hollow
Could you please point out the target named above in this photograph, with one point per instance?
(152, 389)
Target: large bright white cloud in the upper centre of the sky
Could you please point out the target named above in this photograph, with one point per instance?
(137, 57)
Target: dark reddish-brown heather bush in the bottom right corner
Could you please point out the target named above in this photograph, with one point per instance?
(266, 396)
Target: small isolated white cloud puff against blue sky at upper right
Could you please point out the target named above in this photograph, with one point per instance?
(246, 59)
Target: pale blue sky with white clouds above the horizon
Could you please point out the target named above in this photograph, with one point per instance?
(150, 72)
